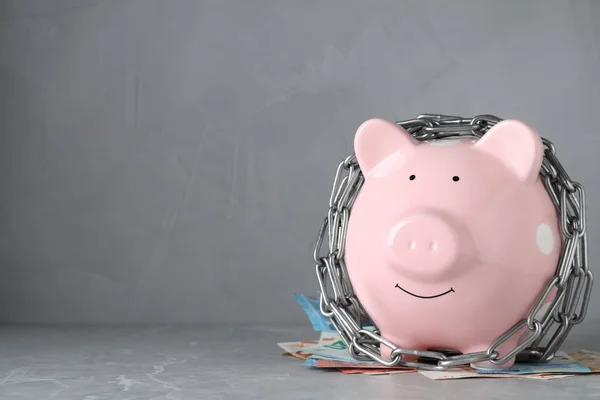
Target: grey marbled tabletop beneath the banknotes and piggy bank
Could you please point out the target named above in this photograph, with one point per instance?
(241, 362)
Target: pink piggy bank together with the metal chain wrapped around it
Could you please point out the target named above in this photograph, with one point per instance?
(449, 233)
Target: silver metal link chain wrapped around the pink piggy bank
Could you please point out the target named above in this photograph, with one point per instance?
(573, 279)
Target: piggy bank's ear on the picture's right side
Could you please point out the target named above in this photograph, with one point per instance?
(517, 145)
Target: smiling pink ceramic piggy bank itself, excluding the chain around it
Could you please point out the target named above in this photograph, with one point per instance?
(451, 242)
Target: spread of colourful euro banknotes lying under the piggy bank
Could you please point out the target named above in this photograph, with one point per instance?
(330, 352)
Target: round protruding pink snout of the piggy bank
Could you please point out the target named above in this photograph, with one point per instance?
(425, 246)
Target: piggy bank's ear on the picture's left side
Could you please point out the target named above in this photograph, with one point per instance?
(377, 140)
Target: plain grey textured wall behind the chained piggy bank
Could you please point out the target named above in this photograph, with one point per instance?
(170, 161)
